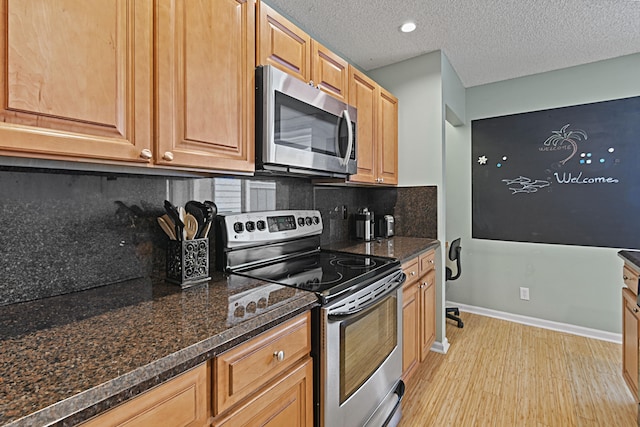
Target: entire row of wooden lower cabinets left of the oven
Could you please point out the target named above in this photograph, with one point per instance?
(265, 381)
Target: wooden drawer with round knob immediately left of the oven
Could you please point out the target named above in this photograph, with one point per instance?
(247, 367)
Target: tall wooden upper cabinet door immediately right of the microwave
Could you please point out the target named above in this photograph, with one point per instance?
(363, 94)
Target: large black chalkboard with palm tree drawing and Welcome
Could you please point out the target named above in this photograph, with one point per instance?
(566, 176)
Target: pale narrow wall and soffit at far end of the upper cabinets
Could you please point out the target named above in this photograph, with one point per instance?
(427, 88)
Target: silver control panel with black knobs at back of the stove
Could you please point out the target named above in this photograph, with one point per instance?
(243, 229)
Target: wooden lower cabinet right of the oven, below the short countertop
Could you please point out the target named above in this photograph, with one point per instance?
(418, 311)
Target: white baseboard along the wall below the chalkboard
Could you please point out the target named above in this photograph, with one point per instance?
(540, 323)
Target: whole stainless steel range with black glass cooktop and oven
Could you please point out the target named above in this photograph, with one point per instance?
(357, 329)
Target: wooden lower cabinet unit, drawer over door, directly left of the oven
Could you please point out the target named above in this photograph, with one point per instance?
(268, 380)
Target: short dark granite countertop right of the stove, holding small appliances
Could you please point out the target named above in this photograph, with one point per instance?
(402, 248)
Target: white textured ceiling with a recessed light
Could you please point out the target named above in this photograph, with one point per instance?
(485, 40)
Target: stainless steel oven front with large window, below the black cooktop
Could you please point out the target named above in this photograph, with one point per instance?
(361, 359)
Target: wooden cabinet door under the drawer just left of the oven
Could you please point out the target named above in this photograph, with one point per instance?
(286, 403)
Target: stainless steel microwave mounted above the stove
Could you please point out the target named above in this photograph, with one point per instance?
(300, 129)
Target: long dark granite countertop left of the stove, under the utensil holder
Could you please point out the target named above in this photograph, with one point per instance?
(66, 358)
